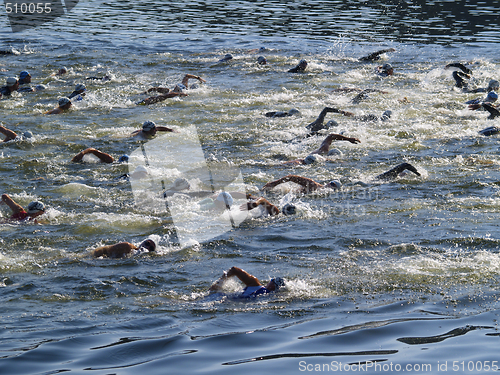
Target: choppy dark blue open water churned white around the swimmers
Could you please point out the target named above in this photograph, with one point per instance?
(400, 275)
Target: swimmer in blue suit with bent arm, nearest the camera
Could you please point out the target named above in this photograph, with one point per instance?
(253, 286)
